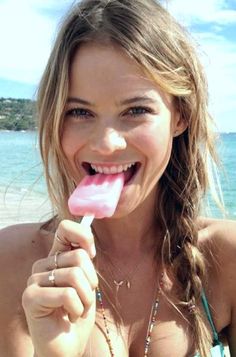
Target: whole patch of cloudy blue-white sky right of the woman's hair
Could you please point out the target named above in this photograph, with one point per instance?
(217, 51)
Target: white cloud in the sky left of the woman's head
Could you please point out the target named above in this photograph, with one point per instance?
(26, 37)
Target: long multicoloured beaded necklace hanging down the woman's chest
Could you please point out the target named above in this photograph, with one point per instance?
(151, 324)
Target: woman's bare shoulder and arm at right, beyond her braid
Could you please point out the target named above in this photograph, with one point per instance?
(218, 242)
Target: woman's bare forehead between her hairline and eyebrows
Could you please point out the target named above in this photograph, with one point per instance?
(107, 70)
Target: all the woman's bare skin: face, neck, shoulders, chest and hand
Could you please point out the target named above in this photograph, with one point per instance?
(107, 132)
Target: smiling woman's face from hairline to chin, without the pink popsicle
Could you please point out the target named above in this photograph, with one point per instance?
(117, 117)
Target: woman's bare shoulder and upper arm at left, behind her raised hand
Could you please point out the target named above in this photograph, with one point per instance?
(20, 246)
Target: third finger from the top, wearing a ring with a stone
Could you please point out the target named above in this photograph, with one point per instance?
(67, 277)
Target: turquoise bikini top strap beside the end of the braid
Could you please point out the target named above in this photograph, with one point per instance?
(217, 349)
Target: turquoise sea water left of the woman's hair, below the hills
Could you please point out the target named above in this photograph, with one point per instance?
(23, 196)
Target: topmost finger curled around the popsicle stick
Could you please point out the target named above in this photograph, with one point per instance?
(72, 233)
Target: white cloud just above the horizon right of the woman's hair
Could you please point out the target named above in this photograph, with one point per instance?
(219, 61)
